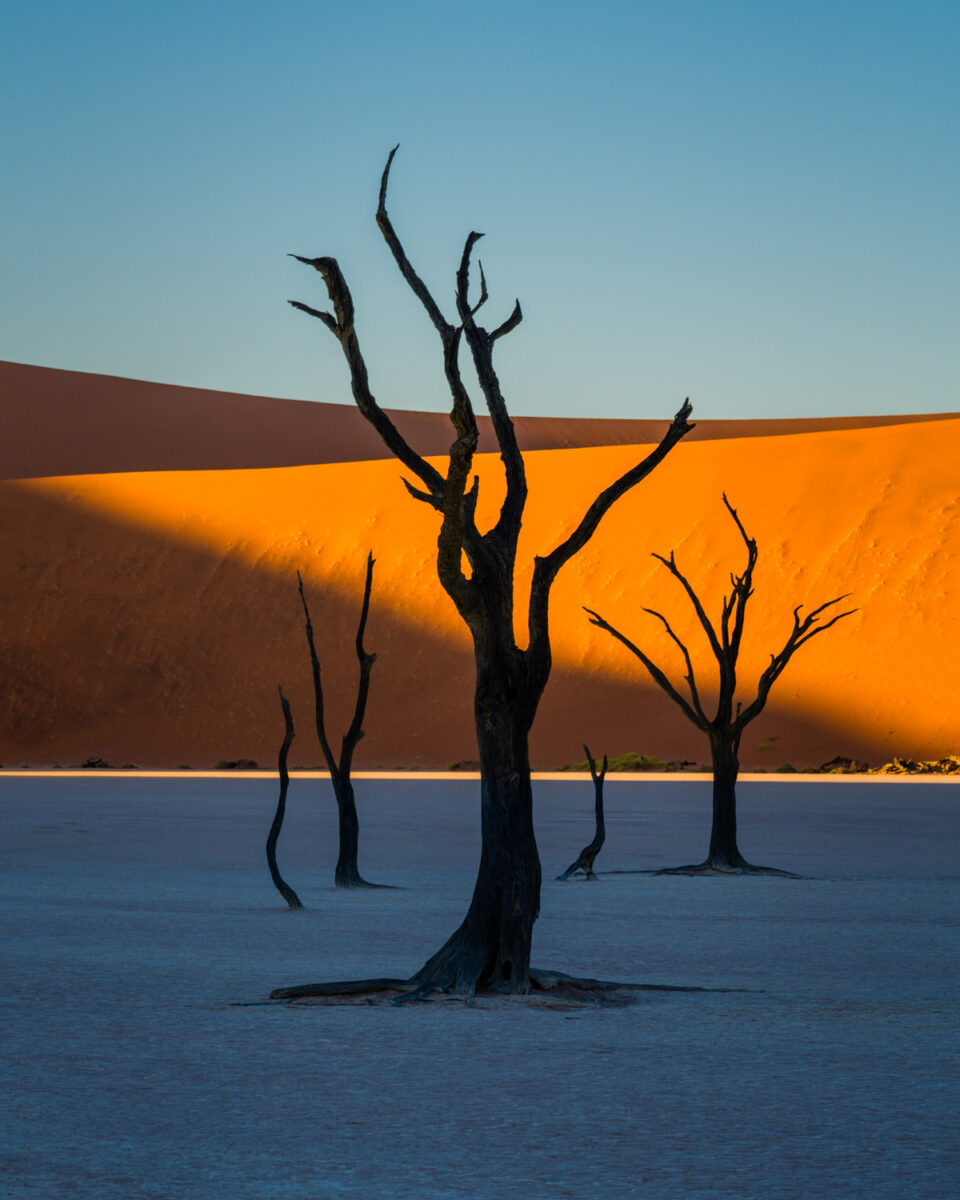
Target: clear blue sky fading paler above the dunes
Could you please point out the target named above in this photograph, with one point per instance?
(754, 205)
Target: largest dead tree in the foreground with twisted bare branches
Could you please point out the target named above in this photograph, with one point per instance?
(491, 950)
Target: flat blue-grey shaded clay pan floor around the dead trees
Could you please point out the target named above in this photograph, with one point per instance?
(140, 923)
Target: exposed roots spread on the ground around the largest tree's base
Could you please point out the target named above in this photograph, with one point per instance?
(548, 989)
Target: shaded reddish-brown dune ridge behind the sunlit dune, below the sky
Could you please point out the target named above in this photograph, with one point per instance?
(67, 423)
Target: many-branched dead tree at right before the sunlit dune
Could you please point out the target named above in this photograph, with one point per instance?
(725, 729)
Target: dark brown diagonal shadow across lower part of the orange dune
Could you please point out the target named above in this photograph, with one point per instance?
(139, 649)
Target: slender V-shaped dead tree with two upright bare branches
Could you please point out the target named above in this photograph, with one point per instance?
(347, 874)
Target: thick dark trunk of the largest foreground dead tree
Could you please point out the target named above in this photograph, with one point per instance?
(491, 949)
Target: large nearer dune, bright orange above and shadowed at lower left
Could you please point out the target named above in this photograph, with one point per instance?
(149, 617)
